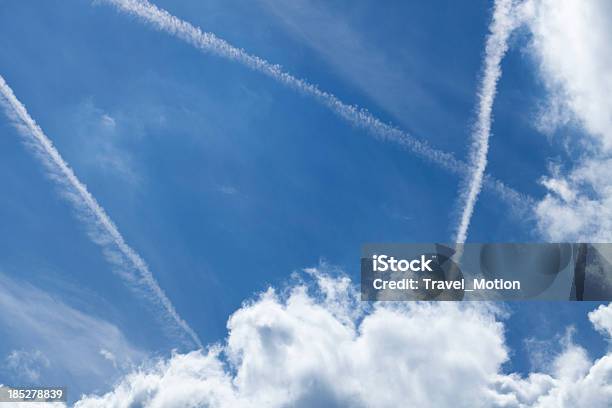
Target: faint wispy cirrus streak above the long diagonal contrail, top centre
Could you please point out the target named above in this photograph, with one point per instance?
(359, 59)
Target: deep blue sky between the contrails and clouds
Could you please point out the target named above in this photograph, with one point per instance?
(226, 182)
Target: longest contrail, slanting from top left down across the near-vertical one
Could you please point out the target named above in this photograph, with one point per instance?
(361, 118)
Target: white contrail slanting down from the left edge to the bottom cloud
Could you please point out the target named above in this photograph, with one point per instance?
(101, 228)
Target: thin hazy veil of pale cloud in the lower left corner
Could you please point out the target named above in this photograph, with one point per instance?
(57, 342)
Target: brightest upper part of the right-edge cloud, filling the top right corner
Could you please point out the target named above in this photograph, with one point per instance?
(571, 42)
